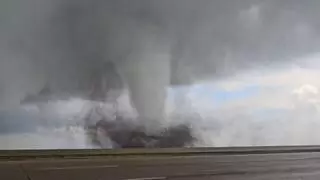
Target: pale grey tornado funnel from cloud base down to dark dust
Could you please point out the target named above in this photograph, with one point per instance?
(148, 78)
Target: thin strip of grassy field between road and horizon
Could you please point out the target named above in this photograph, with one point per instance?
(91, 153)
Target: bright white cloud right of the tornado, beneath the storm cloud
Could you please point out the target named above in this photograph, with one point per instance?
(284, 111)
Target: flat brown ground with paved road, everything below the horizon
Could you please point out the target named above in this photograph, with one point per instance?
(223, 164)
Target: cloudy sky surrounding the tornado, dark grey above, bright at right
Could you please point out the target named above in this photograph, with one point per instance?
(259, 60)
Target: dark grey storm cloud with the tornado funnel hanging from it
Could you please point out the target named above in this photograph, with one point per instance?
(153, 43)
